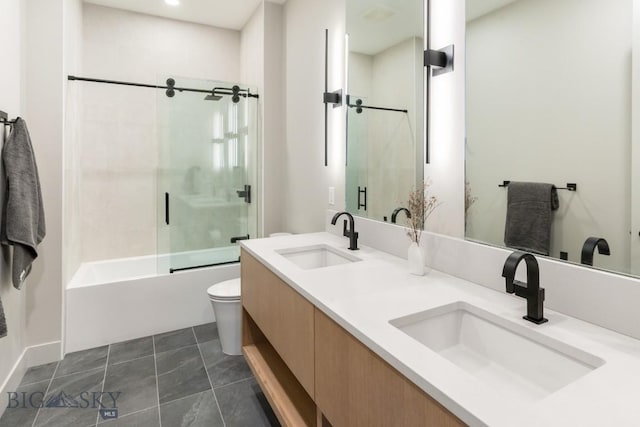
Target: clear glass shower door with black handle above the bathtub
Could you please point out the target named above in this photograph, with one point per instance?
(207, 174)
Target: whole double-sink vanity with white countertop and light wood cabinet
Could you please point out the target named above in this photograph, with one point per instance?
(348, 338)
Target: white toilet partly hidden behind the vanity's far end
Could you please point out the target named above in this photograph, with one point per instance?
(227, 307)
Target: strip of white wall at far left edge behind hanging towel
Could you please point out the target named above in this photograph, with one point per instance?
(12, 27)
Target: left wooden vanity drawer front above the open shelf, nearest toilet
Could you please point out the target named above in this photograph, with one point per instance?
(283, 316)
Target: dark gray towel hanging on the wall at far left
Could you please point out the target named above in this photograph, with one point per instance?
(22, 212)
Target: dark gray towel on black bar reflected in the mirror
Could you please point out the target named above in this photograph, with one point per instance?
(529, 216)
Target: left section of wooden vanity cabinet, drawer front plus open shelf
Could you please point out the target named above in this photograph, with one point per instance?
(277, 340)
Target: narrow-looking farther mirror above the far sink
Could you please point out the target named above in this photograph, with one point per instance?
(385, 129)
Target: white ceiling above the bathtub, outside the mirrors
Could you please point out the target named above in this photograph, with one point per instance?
(231, 14)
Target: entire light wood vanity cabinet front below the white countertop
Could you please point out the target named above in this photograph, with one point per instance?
(313, 372)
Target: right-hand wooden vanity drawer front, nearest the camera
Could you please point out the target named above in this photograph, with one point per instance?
(355, 387)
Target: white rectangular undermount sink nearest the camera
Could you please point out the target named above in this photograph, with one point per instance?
(503, 354)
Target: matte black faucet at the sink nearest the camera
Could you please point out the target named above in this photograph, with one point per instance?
(530, 290)
